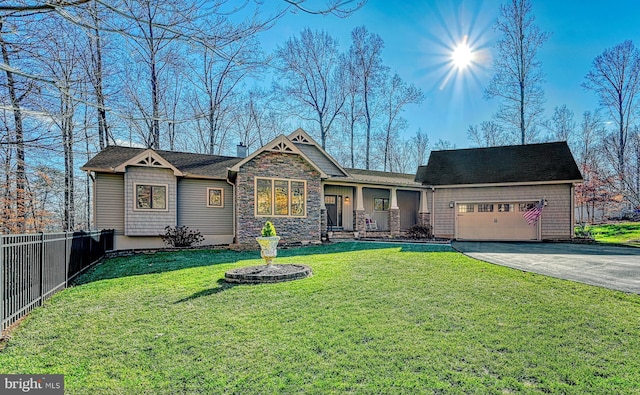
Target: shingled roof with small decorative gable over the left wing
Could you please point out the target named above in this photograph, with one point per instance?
(115, 159)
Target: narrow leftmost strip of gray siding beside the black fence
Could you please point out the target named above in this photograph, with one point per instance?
(109, 202)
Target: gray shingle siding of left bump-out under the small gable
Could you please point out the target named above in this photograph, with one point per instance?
(149, 222)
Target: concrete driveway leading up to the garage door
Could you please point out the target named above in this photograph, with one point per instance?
(605, 266)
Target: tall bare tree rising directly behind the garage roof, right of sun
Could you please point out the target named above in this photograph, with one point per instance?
(518, 78)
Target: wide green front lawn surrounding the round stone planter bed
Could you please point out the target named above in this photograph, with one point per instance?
(373, 319)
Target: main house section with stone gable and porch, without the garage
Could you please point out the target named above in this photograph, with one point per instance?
(290, 181)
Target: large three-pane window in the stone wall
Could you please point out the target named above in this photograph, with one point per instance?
(282, 198)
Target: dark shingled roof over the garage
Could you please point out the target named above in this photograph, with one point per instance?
(546, 162)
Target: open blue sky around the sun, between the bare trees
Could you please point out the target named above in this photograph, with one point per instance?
(419, 36)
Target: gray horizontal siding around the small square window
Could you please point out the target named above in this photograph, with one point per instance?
(194, 213)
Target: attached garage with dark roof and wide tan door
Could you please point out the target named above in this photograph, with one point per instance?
(482, 193)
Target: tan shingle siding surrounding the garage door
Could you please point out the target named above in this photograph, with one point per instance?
(555, 219)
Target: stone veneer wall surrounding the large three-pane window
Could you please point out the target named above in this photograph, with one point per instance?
(283, 166)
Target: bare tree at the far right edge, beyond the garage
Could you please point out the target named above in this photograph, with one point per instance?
(615, 78)
